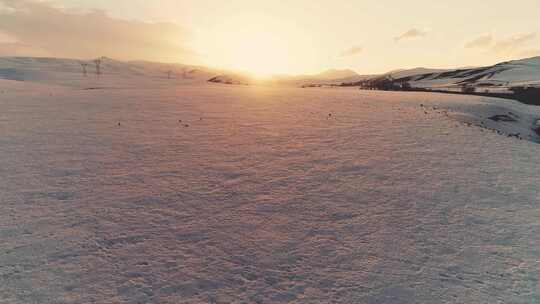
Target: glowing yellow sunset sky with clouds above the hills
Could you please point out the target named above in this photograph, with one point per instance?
(266, 37)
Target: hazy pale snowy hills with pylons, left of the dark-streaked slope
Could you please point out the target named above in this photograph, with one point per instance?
(121, 73)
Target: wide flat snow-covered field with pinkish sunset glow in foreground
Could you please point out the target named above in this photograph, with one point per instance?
(207, 193)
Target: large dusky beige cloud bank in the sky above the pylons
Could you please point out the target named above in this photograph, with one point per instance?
(40, 29)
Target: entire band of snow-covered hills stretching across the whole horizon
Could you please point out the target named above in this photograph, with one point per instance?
(495, 79)
